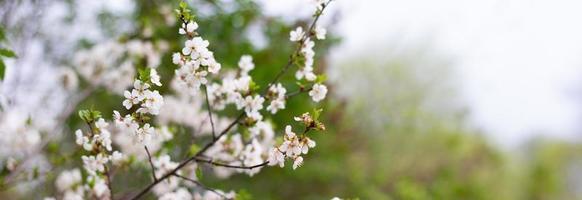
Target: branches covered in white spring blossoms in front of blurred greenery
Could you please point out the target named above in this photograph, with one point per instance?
(226, 109)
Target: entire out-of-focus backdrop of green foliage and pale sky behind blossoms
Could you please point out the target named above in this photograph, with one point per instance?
(428, 99)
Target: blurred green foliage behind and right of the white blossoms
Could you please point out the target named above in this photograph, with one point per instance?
(396, 126)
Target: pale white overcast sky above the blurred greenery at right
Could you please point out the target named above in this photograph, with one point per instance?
(519, 62)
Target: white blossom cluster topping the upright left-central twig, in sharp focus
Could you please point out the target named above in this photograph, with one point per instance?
(195, 60)
